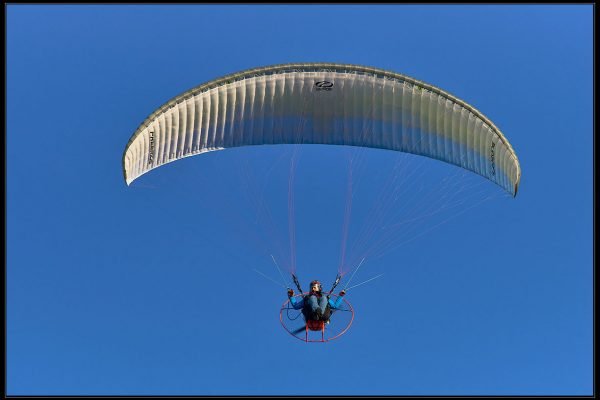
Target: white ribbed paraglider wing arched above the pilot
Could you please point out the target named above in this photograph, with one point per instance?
(323, 104)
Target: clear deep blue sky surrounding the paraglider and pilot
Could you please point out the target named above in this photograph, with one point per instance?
(151, 289)
